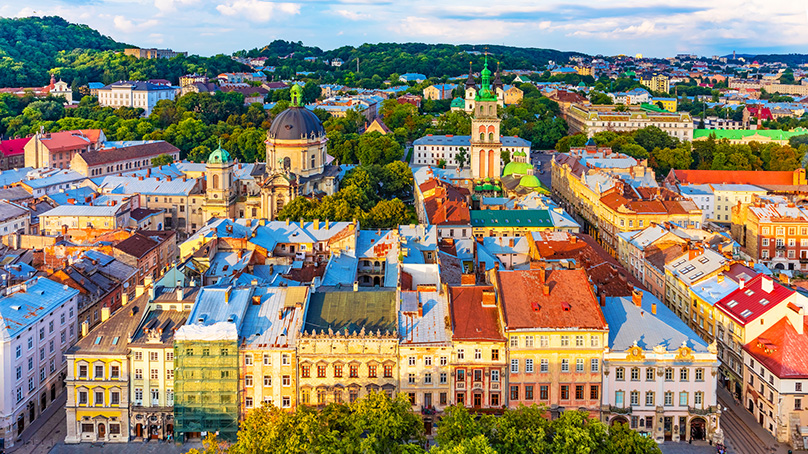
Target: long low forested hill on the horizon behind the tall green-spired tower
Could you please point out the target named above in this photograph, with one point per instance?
(433, 60)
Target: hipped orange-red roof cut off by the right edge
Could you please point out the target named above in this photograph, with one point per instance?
(782, 350)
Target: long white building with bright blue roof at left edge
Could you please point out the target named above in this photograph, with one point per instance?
(39, 324)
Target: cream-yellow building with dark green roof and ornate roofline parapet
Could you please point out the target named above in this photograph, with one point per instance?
(348, 347)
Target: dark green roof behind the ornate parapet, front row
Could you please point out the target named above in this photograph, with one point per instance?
(348, 310)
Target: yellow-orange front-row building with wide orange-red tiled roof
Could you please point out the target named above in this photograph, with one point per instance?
(556, 335)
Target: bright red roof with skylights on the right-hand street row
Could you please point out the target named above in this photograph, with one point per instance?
(751, 298)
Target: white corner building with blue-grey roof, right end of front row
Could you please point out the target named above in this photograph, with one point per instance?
(659, 377)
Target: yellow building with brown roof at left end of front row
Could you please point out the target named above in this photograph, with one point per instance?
(98, 375)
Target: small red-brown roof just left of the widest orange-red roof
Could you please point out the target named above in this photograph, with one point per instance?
(470, 320)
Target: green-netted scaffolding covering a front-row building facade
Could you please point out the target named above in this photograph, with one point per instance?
(206, 388)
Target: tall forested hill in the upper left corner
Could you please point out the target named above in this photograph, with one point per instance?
(29, 47)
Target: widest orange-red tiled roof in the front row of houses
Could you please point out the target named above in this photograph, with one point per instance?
(571, 303)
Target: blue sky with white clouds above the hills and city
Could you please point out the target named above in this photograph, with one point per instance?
(651, 27)
